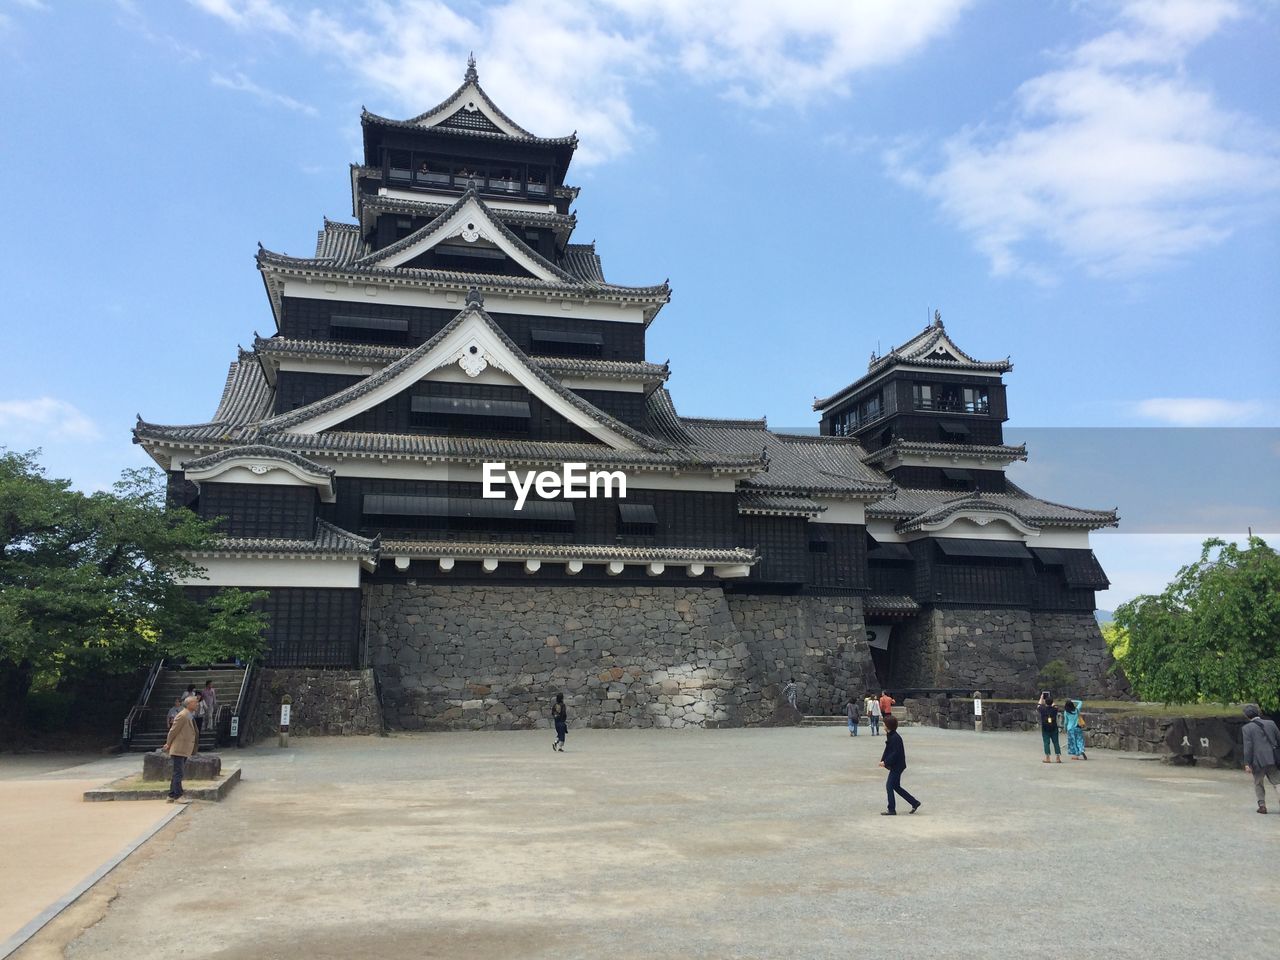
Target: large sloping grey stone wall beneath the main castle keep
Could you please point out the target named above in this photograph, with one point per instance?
(472, 657)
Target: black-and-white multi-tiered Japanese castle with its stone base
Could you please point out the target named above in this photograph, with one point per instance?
(454, 323)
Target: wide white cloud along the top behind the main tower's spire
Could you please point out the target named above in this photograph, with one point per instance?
(556, 66)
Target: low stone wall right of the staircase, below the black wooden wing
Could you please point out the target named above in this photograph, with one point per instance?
(326, 702)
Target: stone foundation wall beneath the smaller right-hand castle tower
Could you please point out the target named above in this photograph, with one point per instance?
(1002, 652)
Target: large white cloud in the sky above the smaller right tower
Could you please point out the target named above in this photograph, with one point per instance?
(1117, 162)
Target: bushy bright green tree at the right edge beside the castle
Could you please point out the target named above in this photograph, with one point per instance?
(1214, 634)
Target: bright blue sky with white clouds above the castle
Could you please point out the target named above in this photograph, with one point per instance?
(1091, 188)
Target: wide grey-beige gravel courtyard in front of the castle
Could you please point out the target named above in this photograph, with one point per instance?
(697, 844)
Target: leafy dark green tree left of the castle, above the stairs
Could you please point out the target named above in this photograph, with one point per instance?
(89, 583)
